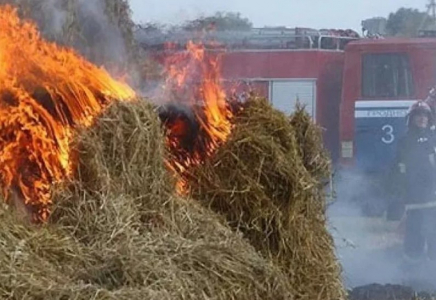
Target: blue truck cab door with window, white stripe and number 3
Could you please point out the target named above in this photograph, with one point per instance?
(387, 93)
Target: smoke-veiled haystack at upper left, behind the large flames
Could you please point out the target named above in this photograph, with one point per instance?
(93, 28)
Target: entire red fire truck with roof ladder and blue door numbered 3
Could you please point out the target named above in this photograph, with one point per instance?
(357, 89)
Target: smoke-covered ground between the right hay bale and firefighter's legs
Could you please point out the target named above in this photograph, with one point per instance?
(370, 250)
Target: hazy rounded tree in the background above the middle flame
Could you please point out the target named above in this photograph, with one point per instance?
(220, 21)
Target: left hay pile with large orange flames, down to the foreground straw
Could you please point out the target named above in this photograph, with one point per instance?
(116, 231)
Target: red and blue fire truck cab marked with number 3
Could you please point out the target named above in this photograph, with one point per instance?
(382, 78)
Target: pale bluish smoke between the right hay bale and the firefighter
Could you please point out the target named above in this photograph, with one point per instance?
(370, 248)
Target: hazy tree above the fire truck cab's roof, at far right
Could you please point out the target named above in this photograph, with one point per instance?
(405, 22)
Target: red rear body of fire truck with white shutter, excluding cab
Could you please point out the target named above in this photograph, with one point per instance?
(306, 65)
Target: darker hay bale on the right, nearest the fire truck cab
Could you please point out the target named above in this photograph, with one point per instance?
(265, 180)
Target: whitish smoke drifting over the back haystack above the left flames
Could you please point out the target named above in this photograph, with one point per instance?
(99, 39)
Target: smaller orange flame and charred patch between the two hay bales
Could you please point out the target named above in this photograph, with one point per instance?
(195, 79)
